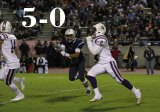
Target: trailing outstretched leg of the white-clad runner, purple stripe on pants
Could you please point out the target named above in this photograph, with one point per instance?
(113, 70)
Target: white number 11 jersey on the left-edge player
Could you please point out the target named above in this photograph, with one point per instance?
(8, 50)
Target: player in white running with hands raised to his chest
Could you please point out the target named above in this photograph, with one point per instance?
(98, 44)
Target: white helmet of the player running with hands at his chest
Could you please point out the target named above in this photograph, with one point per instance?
(100, 29)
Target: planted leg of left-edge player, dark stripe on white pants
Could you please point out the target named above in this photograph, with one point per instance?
(9, 77)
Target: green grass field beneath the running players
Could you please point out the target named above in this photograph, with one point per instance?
(55, 93)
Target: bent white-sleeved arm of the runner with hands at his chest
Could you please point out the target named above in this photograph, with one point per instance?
(94, 49)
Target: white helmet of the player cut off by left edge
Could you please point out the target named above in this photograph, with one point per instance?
(5, 27)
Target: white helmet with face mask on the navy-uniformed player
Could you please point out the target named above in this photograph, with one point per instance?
(70, 35)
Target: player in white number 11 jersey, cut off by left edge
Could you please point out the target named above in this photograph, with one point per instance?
(8, 49)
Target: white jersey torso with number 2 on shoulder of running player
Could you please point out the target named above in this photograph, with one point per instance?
(105, 54)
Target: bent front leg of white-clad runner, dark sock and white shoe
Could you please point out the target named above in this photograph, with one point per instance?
(92, 73)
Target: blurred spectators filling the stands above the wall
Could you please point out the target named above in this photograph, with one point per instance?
(126, 20)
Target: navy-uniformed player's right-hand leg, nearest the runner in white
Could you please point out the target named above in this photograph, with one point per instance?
(81, 70)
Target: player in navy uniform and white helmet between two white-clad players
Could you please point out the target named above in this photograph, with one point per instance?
(71, 48)
